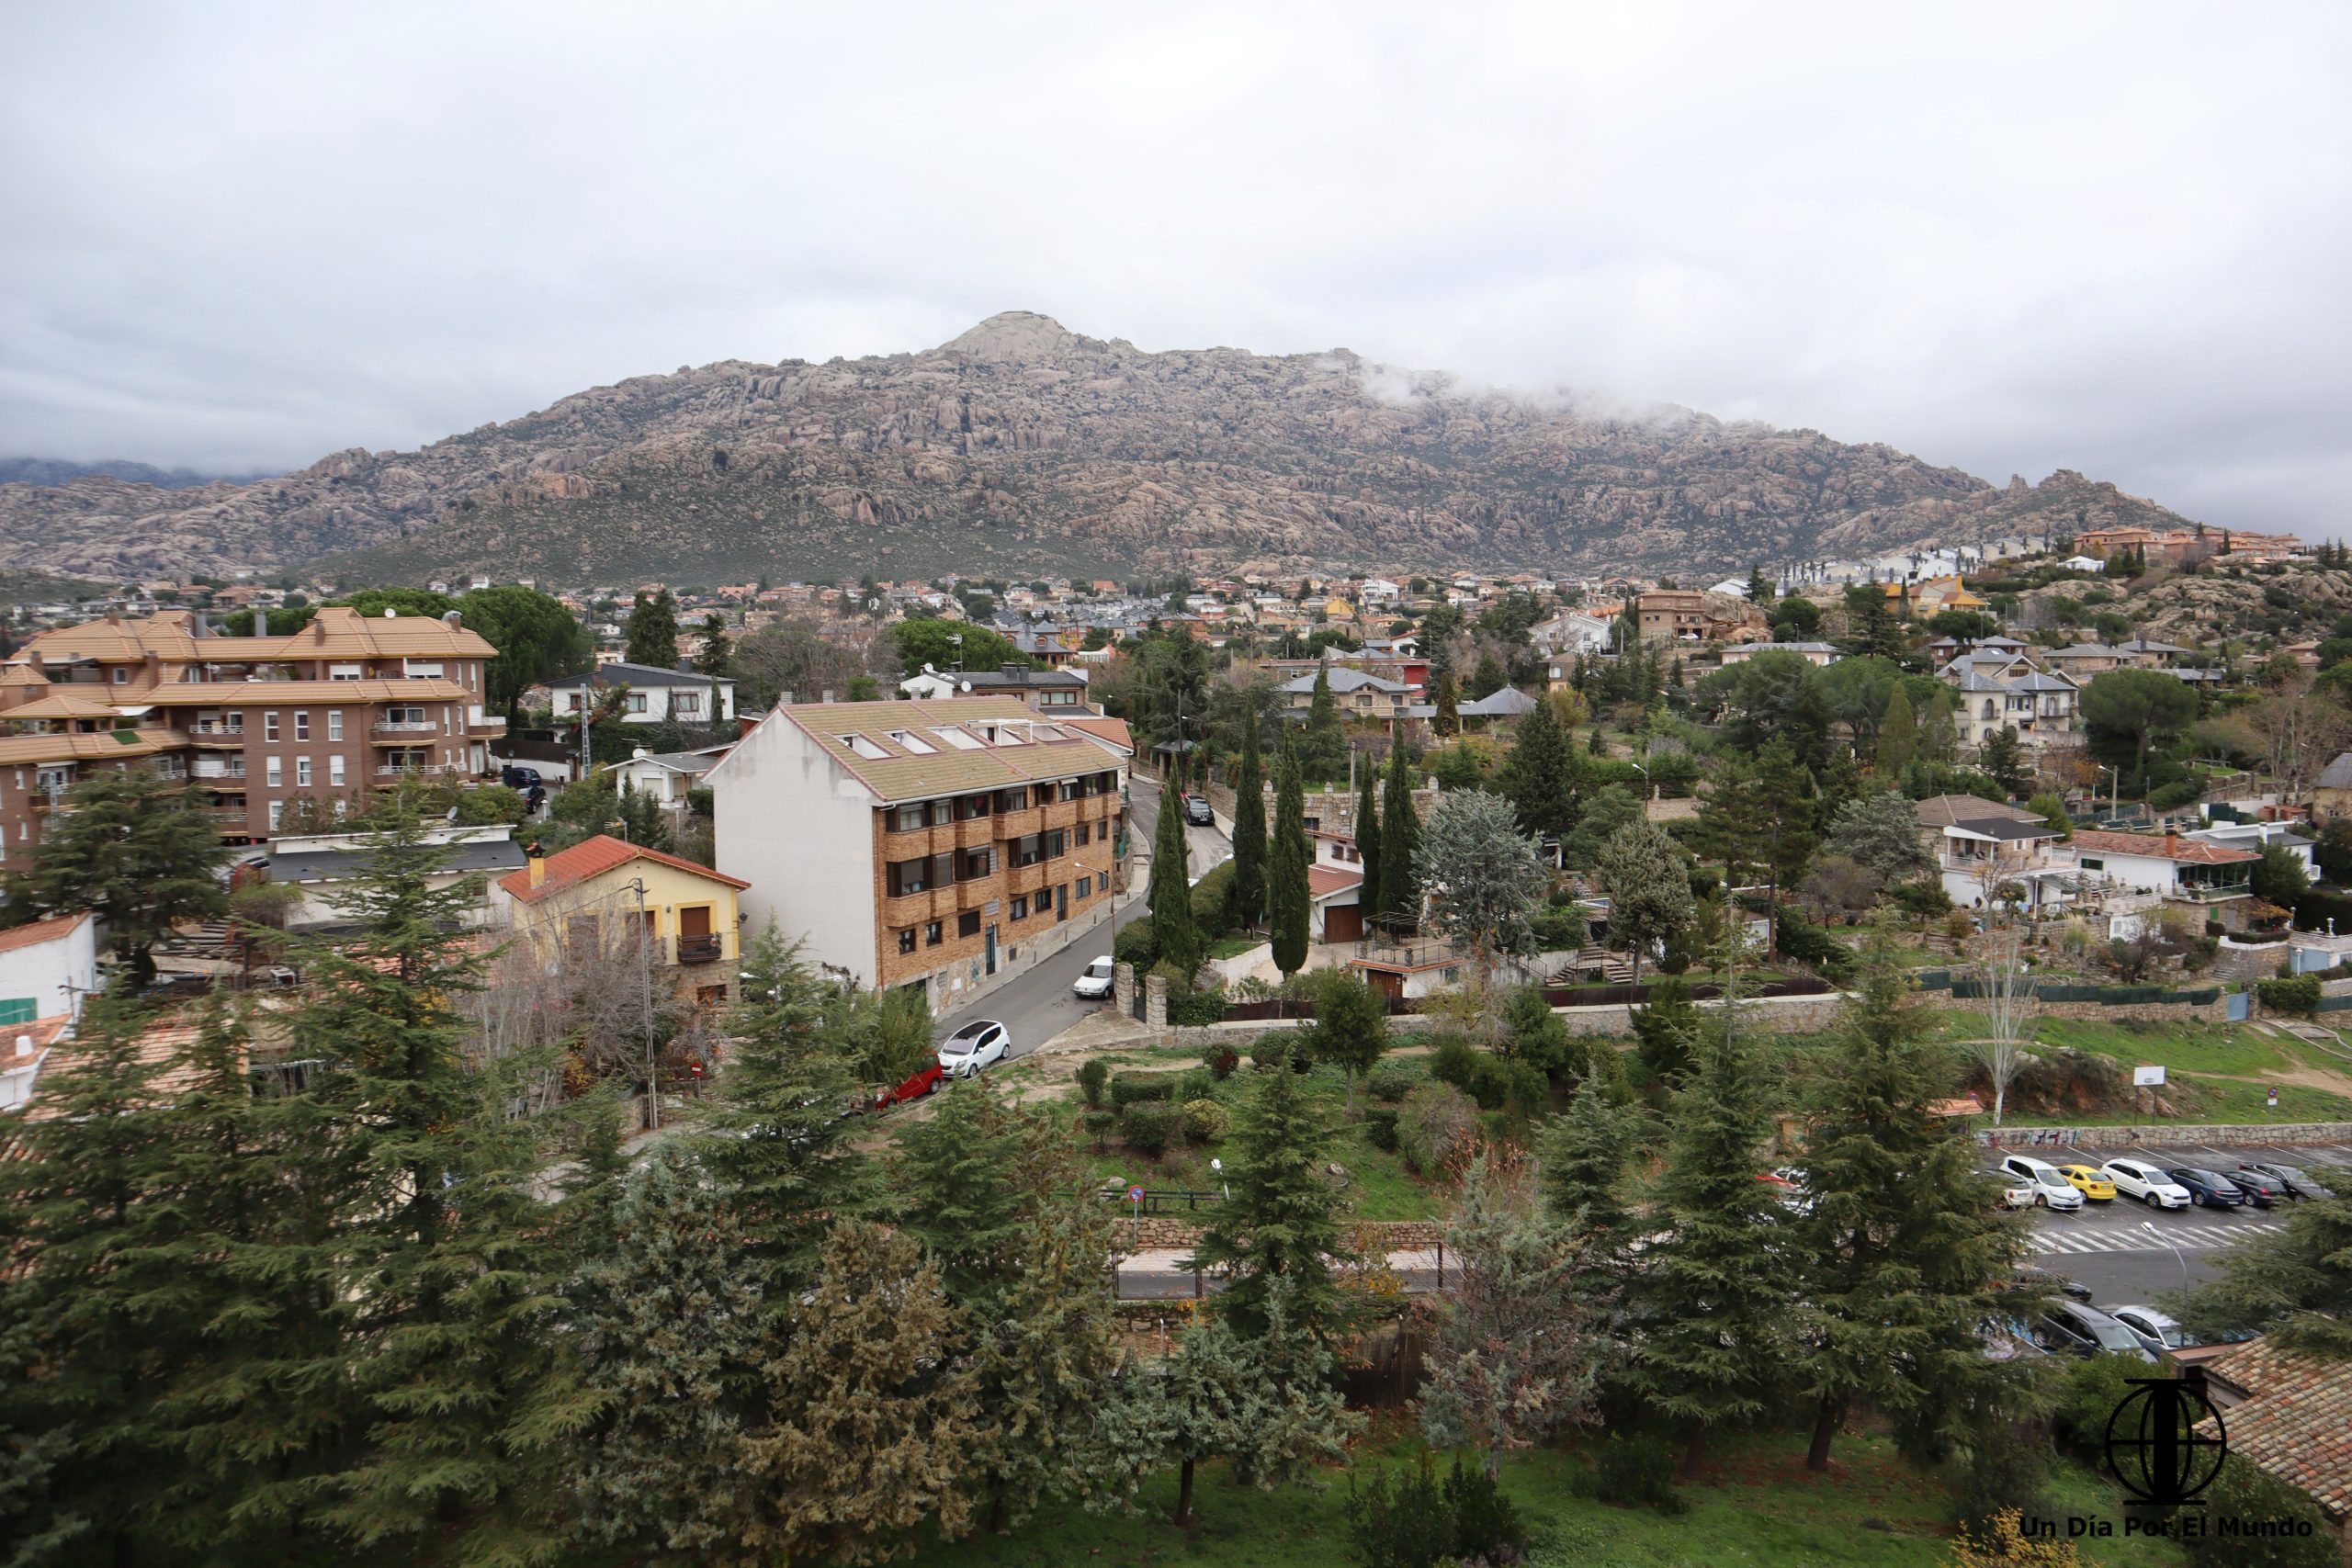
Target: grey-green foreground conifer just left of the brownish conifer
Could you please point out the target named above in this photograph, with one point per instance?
(674, 1341)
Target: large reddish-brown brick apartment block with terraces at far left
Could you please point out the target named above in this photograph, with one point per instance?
(347, 704)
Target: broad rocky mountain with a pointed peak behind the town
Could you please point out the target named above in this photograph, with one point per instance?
(1024, 448)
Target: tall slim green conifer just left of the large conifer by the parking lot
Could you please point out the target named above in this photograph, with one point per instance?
(1716, 1289)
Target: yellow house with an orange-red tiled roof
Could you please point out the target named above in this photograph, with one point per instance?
(594, 902)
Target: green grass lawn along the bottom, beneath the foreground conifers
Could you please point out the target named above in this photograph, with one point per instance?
(1760, 1510)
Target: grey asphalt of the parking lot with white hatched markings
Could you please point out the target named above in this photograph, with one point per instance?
(2127, 1252)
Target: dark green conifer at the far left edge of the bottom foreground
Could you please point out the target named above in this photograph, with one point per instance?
(86, 1195)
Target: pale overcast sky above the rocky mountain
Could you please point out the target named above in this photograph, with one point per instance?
(2010, 239)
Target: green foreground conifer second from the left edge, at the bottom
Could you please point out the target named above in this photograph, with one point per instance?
(260, 1198)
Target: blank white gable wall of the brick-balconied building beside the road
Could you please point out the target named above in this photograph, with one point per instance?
(794, 824)
